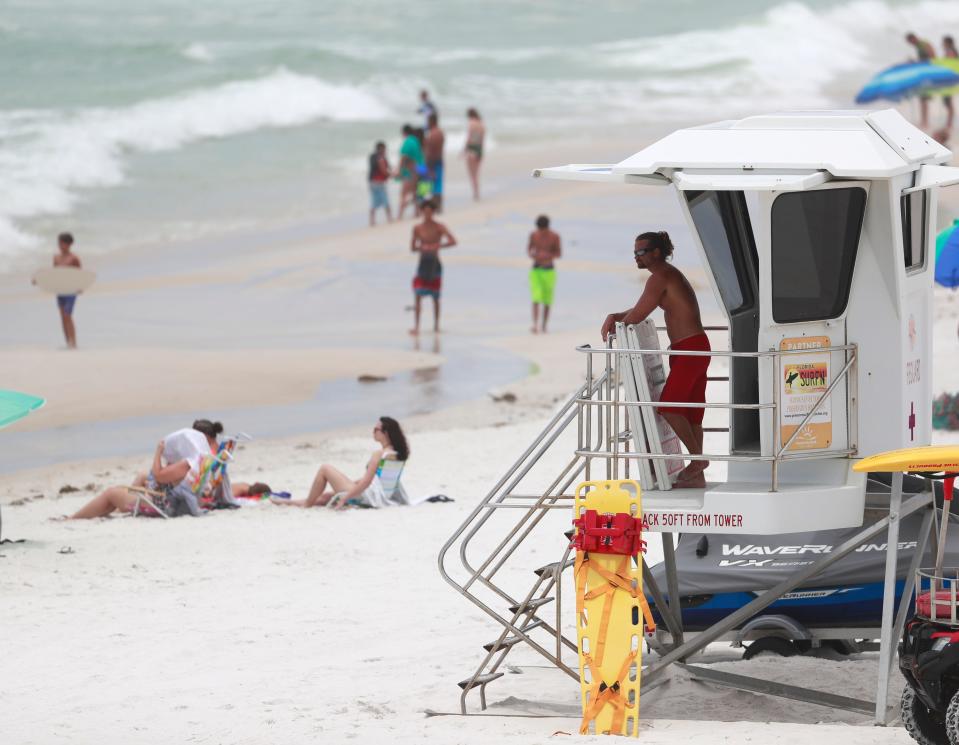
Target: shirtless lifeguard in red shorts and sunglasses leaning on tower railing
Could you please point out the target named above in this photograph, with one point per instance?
(668, 289)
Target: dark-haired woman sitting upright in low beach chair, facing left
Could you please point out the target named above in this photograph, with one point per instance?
(375, 487)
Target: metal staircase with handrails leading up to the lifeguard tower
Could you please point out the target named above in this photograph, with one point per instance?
(529, 612)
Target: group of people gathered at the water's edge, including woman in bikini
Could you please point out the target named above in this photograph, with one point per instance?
(421, 167)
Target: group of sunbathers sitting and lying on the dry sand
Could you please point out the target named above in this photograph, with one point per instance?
(188, 477)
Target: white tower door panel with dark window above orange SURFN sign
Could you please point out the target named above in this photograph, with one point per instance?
(808, 246)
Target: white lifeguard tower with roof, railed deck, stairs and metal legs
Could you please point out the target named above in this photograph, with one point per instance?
(816, 232)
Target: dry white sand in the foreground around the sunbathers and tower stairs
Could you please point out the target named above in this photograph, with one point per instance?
(268, 624)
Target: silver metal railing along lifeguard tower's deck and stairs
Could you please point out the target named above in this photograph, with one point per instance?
(597, 444)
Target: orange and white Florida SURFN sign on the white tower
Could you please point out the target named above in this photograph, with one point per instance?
(805, 379)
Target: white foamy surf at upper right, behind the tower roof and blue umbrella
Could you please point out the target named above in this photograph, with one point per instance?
(791, 55)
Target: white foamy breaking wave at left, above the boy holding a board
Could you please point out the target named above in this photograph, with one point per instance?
(47, 156)
